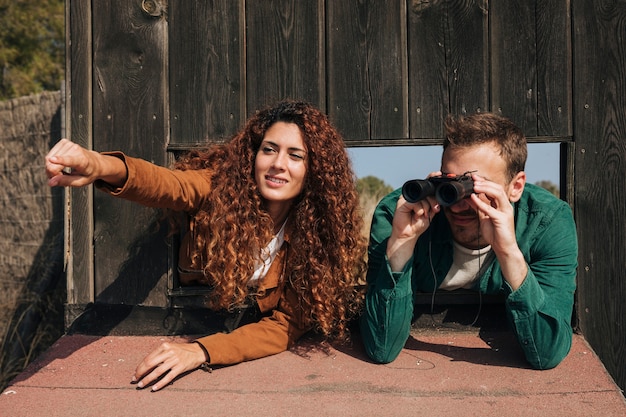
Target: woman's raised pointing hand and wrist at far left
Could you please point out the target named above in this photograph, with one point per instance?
(70, 165)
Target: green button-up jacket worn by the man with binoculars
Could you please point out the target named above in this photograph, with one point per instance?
(540, 310)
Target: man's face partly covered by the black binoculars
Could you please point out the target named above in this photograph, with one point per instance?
(484, 160)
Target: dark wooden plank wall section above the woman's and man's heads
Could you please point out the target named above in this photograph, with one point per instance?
(383, 70)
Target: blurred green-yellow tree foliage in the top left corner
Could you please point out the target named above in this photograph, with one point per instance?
(32, 46)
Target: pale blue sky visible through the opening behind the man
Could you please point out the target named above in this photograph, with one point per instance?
(395, 165)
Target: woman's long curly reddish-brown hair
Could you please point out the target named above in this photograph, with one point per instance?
(326, 257)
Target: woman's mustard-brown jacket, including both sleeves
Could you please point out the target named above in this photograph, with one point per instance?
(283, 322)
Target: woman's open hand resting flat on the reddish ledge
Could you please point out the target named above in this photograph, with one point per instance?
(166, 363)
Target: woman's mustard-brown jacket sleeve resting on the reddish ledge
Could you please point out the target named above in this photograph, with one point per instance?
(273, 334)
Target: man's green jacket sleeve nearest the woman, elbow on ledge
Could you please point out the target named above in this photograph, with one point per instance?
(386, 321)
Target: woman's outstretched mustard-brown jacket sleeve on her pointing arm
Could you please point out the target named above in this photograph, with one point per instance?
(155, 186)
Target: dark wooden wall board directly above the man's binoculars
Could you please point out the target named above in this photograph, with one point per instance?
(449, 63)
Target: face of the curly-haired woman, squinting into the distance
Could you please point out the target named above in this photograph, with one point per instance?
(281, 165)
